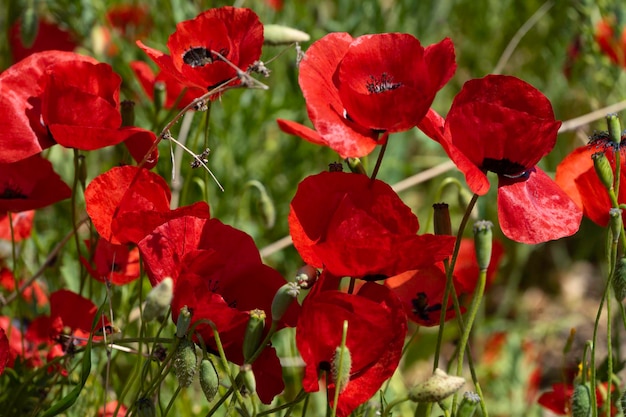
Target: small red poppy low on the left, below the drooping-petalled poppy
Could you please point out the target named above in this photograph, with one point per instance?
(117, 264)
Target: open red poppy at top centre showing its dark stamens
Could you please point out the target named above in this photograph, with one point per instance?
(357, 88)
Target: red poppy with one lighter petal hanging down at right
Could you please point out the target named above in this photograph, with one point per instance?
(502, 124)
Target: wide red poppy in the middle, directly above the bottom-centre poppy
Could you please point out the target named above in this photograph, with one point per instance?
(350, 226)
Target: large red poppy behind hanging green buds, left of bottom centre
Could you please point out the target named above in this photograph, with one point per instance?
(219, 276)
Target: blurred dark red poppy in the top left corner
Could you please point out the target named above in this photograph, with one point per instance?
(49, 37)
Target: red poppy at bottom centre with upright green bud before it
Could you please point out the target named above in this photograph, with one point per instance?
(375, 337)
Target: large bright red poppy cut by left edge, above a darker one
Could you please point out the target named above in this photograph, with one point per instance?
(61, 97)
